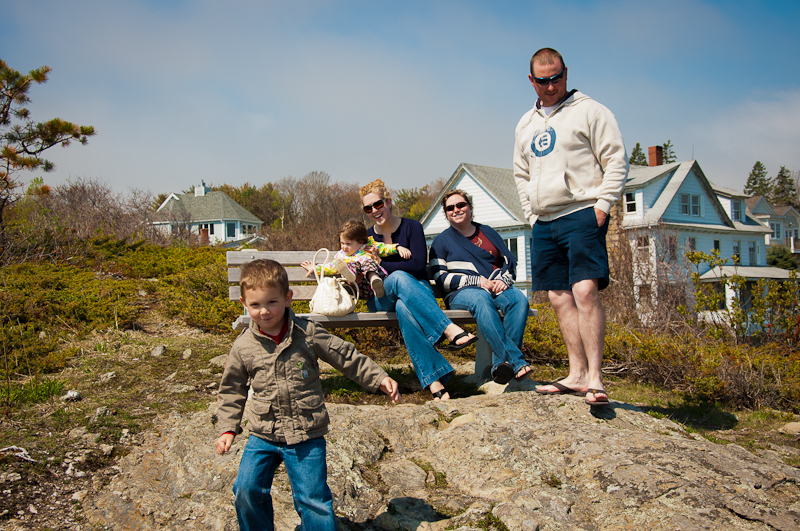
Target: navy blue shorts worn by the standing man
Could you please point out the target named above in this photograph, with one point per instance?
(567, 250)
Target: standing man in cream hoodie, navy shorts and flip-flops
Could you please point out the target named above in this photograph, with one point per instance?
(570, 166)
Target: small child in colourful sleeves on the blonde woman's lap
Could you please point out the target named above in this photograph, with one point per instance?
(355, 262)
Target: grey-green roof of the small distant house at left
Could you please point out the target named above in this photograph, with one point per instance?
(213, 206)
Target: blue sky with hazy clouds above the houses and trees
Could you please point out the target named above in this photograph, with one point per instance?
(252, 91)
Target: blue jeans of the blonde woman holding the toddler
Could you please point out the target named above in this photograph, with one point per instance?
(422, 323)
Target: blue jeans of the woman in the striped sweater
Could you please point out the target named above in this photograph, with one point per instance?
(503, 335)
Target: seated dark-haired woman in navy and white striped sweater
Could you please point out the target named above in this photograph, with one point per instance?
(472, 264)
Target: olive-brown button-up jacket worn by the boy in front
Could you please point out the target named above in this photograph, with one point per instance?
(287, 403)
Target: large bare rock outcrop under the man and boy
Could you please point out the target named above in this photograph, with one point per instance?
(528, 461)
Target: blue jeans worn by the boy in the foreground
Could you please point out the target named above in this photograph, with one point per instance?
(308, 472)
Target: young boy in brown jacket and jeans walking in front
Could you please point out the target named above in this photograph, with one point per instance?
(287, 418)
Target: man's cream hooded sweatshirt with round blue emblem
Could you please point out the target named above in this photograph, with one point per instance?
(570, 160)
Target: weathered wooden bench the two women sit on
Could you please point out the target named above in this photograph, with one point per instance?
(297, 277)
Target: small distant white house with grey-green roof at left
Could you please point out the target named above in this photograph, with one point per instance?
(213, 216)
